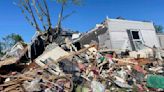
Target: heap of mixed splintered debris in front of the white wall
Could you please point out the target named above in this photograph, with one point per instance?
(64, 68)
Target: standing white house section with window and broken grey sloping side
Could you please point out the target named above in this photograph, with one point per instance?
(122, 34)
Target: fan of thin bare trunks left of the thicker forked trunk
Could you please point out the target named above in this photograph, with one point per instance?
(33, 9)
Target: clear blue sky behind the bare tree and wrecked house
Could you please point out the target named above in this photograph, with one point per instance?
(85, 17)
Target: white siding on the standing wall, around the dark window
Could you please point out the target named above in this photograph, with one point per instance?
(118, 32)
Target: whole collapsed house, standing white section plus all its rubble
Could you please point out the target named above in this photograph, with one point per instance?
(68, 62)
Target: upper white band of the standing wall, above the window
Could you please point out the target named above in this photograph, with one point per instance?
(122, 25)
